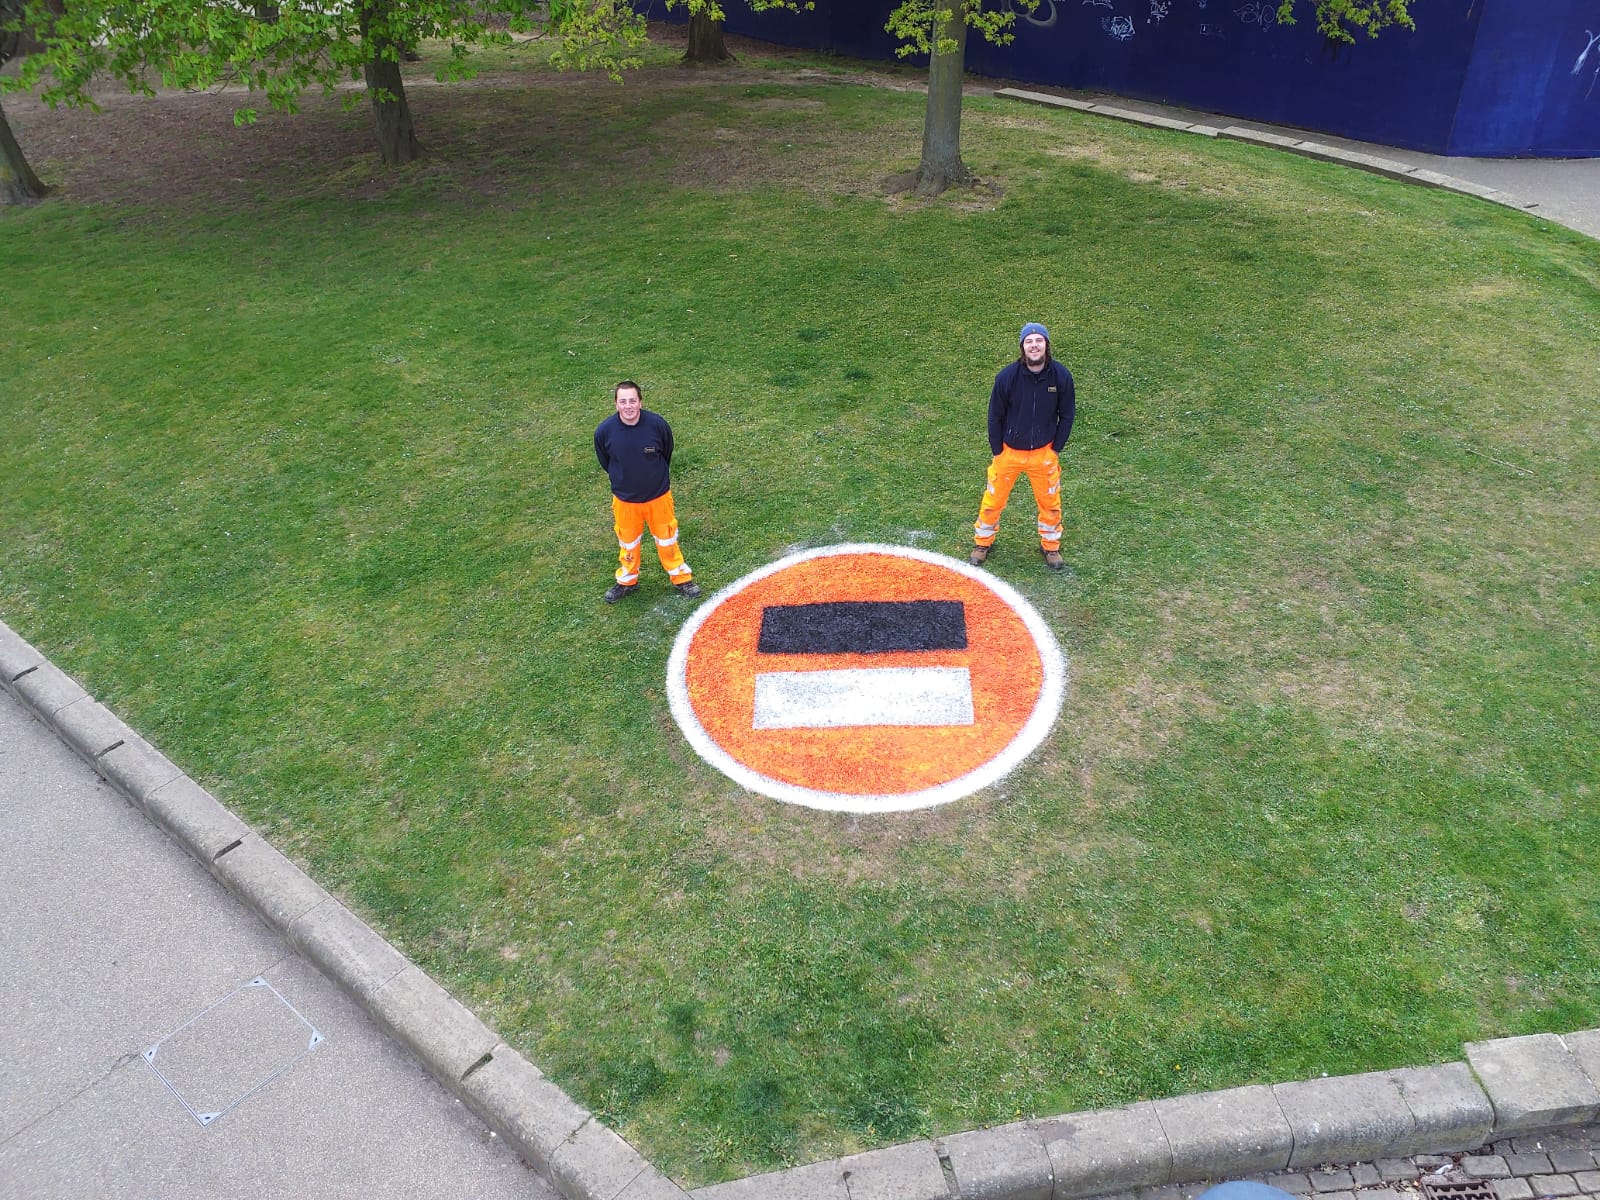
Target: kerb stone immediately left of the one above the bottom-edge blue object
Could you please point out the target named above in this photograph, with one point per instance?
(1106, 1151)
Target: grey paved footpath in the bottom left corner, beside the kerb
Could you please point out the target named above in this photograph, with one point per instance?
(113, 942)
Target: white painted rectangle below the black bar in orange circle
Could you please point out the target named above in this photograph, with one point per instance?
(831, 700)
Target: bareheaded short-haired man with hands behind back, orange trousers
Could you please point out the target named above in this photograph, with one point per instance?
(634, 447)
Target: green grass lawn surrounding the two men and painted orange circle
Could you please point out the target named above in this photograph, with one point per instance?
(302, 486)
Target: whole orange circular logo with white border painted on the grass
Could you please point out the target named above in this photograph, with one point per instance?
(866, 679)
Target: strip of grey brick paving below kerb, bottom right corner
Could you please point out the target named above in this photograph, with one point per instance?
(1561, 1166)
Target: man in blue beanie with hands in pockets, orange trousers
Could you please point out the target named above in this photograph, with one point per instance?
(1031, 412)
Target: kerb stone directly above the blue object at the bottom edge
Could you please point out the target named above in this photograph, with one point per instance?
(1225, 1135)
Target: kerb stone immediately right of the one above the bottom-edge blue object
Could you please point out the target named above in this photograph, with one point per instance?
(1345, 1119)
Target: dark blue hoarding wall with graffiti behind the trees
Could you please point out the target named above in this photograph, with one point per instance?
(1482, 78)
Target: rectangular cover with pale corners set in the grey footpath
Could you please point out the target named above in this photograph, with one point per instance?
(233, 1050)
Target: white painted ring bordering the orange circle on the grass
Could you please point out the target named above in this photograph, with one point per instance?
(1052, 694)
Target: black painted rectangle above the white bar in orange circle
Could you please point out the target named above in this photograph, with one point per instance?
(863, 628)
